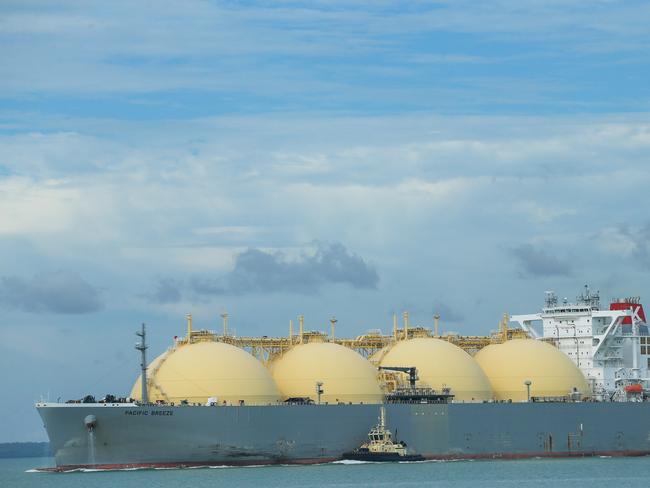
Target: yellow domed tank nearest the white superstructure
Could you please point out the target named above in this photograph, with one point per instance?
(510, 365)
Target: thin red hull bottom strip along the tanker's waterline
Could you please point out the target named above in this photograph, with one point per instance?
(444, 457)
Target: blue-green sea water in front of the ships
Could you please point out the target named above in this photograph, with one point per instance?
(587, 472)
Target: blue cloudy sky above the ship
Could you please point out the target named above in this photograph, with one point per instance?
(271, 159)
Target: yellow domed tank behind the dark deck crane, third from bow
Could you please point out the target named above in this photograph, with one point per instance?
(441, 364)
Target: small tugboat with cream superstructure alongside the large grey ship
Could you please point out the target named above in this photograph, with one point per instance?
(381, 447)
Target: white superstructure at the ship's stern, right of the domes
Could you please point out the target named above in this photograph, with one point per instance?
(611, 347)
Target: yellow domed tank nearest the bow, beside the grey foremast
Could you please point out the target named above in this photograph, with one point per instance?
(197, 372)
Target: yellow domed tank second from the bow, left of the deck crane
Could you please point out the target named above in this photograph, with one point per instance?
(345, 374)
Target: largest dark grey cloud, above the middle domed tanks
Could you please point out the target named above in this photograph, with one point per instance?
(257, 270)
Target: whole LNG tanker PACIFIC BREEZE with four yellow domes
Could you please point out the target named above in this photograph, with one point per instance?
(578, 387)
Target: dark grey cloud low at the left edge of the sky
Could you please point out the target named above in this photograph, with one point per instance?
(60, 292)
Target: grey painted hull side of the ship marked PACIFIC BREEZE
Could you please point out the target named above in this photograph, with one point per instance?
(193, 435)
